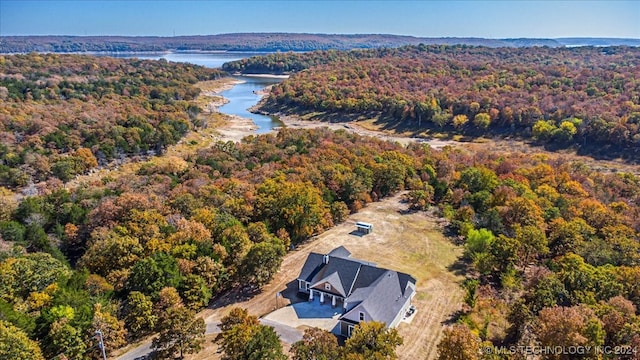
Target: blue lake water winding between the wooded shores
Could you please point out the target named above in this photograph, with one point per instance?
(241, 97)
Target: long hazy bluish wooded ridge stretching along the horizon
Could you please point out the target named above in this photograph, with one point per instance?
(268, 42)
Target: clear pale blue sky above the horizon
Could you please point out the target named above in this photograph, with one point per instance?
(461, 18)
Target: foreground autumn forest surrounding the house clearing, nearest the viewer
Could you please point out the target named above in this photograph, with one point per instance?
(542, 237)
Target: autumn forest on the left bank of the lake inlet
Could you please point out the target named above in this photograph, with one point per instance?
(62, 115)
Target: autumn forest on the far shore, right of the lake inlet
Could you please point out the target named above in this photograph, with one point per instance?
(582, 97)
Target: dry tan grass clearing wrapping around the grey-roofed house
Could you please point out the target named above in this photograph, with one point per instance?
(410, 242)
